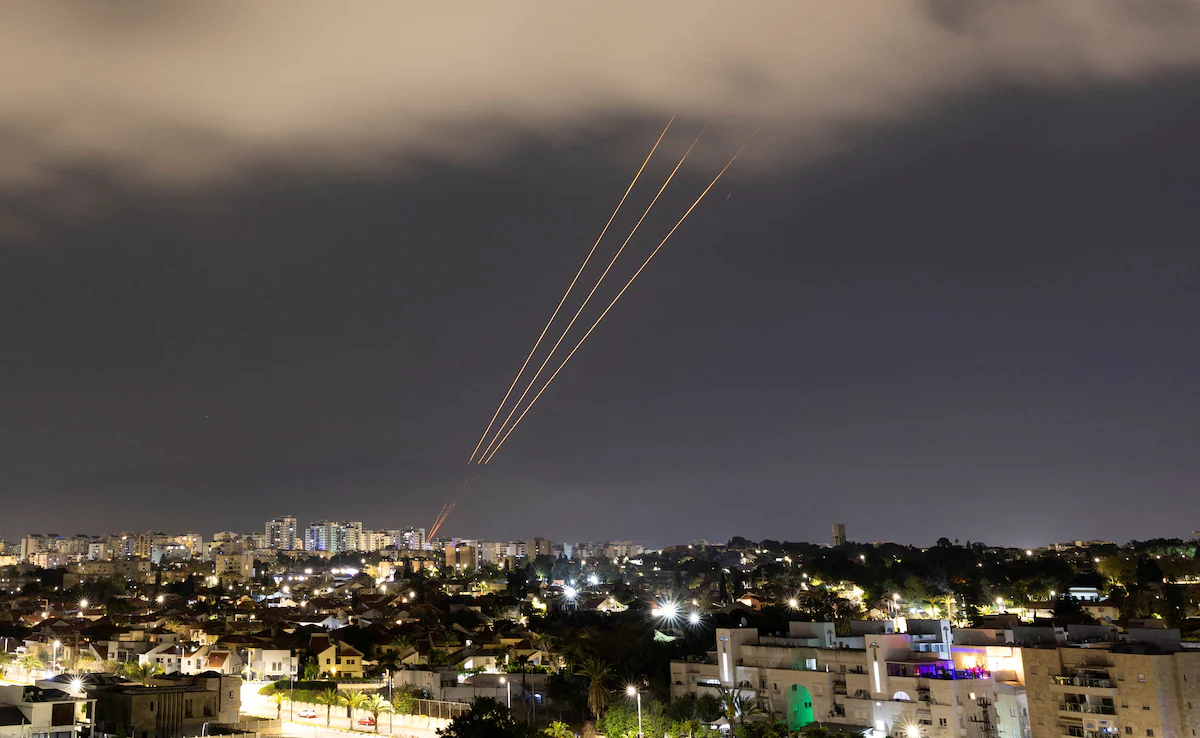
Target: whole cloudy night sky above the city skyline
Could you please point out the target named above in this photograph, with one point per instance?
(964, 308)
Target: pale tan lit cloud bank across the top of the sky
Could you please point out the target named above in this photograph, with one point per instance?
(195, 92)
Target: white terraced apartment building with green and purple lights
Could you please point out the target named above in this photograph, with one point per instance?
(883, 683)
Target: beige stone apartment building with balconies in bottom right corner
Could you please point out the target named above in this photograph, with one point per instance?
(1145, 686)
